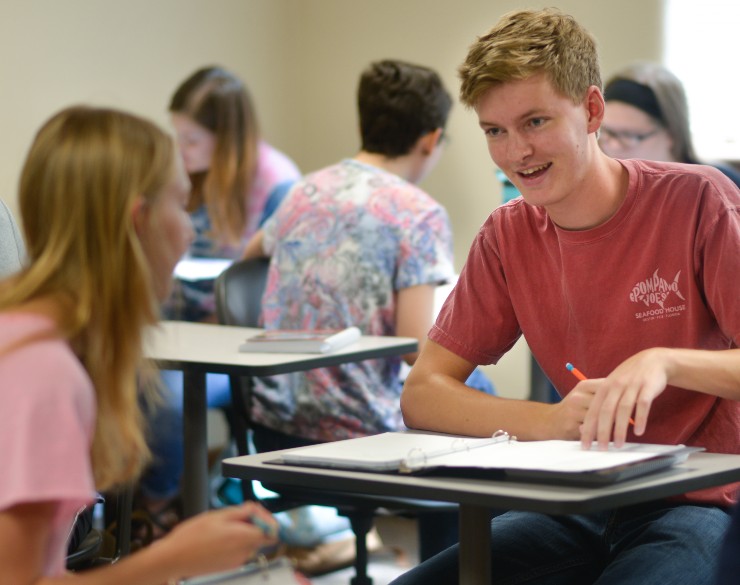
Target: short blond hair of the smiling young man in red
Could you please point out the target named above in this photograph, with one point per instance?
(527, 42)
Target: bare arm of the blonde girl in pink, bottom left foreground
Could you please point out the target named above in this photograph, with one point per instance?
(214, 541)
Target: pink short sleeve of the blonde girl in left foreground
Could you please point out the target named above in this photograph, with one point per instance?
(46, 426)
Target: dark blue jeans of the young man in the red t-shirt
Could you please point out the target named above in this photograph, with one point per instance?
(659, 542)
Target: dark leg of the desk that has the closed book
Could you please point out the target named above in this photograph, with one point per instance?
(195, 472)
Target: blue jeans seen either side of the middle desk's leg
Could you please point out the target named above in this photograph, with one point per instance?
(162, 479)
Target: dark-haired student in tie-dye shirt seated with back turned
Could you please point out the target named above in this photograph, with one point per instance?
(358, 243)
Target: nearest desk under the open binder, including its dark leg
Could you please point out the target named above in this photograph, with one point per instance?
(477, 498)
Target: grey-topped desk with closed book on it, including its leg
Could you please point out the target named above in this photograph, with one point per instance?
(197, 349)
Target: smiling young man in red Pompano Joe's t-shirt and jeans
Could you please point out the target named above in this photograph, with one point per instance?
(628, 269)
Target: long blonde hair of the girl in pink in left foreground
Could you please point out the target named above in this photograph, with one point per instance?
(83, 173)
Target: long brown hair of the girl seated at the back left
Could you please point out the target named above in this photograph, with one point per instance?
(219, 101)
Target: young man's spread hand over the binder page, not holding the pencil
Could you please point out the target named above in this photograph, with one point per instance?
(628, 391)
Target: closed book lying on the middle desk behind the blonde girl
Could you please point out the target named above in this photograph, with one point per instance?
(299, 341)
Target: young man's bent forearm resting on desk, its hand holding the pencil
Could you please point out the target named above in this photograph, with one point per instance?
(435, 398)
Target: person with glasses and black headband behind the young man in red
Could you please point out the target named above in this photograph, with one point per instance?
(647, 116)
